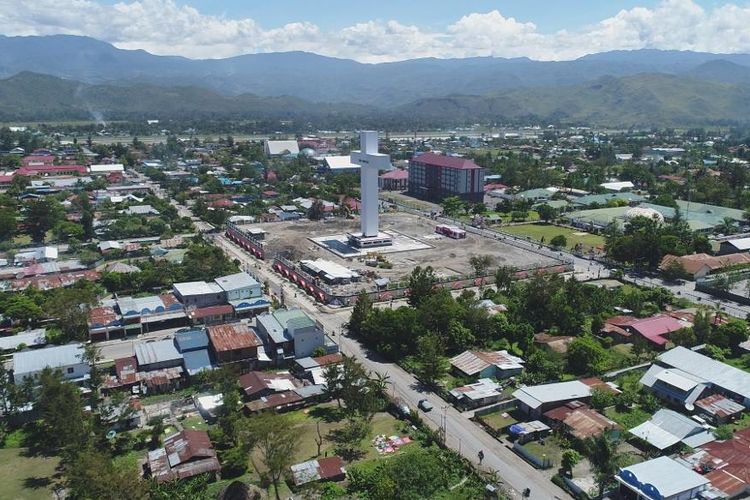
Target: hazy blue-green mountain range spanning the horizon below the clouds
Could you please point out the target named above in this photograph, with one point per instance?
(69, 76)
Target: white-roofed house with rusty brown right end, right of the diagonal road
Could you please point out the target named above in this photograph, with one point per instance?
(537, 399)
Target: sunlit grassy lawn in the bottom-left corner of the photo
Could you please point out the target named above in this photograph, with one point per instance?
(23, 477)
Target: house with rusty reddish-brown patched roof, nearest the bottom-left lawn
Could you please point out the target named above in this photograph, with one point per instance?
(185, 454)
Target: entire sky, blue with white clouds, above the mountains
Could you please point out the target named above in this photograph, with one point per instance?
(389, 30)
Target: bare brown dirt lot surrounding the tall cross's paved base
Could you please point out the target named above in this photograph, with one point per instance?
(447, 256)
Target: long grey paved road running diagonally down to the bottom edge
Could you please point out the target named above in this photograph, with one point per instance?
(462, 434)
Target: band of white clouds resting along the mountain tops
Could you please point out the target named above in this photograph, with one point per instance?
(163, 27)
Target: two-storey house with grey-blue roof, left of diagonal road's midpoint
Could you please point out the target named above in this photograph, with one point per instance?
(290, 333)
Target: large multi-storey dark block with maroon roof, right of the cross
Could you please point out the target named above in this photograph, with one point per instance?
(434, 177)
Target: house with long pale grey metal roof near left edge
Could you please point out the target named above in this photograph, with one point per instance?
(68, 359)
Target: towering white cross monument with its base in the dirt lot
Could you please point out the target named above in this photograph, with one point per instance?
(371, 163)
